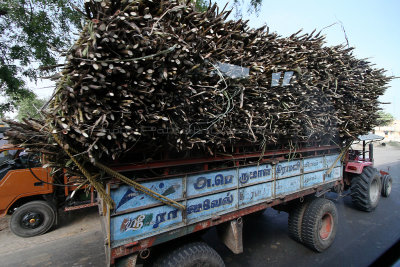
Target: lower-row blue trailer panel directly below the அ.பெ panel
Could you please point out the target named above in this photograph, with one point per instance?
(204, 207)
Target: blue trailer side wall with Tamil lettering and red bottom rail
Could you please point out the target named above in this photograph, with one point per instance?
(208, 197)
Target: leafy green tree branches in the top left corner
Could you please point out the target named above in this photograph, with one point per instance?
(31, 31)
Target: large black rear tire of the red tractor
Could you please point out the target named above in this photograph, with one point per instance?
(366, 189)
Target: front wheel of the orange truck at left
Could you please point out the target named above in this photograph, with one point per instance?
(33, 218)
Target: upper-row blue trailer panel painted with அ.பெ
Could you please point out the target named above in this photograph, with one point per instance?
(212, 181)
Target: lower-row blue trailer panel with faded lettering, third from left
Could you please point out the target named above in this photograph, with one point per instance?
(255, 194)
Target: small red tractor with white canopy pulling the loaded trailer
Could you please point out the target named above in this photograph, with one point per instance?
(365, 182)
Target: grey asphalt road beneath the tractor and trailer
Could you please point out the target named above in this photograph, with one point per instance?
(361, 237)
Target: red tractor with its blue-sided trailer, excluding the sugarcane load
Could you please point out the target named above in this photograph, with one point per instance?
(220, 191)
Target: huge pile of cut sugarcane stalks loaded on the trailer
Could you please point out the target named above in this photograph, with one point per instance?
(151, 75)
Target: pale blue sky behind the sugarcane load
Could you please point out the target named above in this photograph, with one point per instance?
(372, 27)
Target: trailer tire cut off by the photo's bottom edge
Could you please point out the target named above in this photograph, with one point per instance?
(192, 254)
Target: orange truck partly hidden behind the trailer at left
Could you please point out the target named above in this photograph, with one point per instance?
(28, 194)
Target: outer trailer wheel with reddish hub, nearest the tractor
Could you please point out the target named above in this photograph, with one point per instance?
(319, 224)
